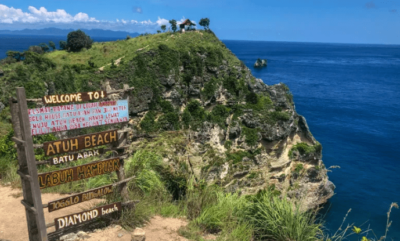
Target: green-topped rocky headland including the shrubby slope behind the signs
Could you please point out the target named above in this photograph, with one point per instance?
(213, 119)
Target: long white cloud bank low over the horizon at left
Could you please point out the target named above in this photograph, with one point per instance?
(14, 19)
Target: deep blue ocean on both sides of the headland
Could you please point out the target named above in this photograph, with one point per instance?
(350, 96)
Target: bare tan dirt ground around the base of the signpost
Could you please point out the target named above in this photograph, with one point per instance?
(13, 221)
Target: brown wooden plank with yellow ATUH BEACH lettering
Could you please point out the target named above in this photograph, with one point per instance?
(80, 142)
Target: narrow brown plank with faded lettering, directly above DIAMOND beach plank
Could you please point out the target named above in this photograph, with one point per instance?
(79, 198)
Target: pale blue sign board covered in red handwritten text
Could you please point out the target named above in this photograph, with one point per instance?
(69, 117)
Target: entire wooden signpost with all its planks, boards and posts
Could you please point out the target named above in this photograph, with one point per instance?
(55, 117)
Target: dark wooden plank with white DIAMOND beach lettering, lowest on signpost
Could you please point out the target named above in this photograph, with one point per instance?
(77, 218)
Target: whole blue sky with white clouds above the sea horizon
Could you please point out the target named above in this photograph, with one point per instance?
(331, 21)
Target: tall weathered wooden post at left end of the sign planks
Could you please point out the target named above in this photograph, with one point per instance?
(27, 168)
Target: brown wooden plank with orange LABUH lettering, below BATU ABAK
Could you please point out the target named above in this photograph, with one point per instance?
(55, 178)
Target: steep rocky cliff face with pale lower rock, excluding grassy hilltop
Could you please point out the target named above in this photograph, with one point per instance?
(248, 136)
